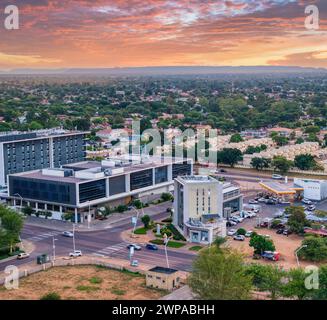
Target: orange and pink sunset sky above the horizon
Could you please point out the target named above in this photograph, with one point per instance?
(130, 33)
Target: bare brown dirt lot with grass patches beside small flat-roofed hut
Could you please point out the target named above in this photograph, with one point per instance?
(82, 283)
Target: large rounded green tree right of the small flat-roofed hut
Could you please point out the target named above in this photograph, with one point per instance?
(220, 275)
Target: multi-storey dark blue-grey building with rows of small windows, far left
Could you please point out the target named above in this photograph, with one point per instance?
(21, 152)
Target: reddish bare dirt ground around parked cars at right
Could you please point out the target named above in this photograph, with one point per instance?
(284, 245)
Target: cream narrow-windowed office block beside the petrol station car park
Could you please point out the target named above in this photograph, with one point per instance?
(201, 205)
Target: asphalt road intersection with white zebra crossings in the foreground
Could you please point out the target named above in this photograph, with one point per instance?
(106, 243)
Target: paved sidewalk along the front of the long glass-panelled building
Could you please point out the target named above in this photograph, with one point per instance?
(114, 220)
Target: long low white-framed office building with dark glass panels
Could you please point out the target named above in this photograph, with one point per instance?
(82, 188)
